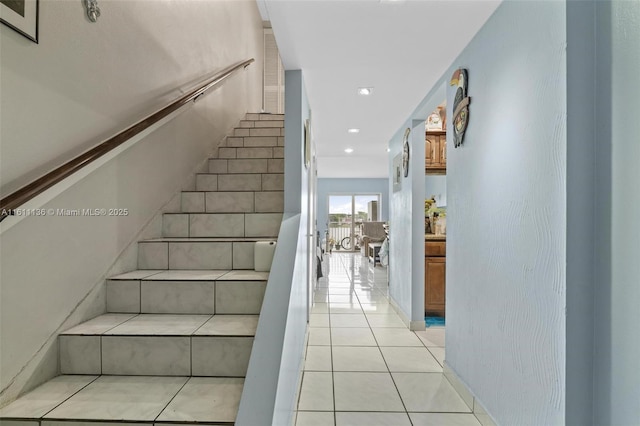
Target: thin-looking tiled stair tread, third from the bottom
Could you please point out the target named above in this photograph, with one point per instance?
(197, 275)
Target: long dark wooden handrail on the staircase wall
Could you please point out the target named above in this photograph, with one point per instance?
(29, 191)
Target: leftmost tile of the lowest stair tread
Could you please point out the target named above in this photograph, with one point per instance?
(44, 398)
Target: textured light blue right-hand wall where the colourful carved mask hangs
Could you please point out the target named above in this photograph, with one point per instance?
(506, 227)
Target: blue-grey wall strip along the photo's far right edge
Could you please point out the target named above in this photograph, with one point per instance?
(617, 298)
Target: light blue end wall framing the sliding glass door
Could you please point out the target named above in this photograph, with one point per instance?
(328, 186)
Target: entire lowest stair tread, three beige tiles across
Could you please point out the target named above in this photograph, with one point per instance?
(130, 399)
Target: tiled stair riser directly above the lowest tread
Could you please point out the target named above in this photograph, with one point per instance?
(155, 355)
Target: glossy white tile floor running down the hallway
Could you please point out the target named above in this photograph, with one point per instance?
(363, 366)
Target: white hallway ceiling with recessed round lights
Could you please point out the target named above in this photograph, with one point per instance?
(400, 48)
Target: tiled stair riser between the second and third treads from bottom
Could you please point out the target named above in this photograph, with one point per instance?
(184, 297)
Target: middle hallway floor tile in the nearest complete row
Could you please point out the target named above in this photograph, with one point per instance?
(366, 392)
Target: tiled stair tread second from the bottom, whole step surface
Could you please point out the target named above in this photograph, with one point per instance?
(167, 325)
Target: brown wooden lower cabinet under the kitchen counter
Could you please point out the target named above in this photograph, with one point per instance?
(435, 278)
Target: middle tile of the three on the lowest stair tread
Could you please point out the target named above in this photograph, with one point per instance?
(124, 398)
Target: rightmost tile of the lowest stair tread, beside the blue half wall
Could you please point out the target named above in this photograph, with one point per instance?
(205, 399)
